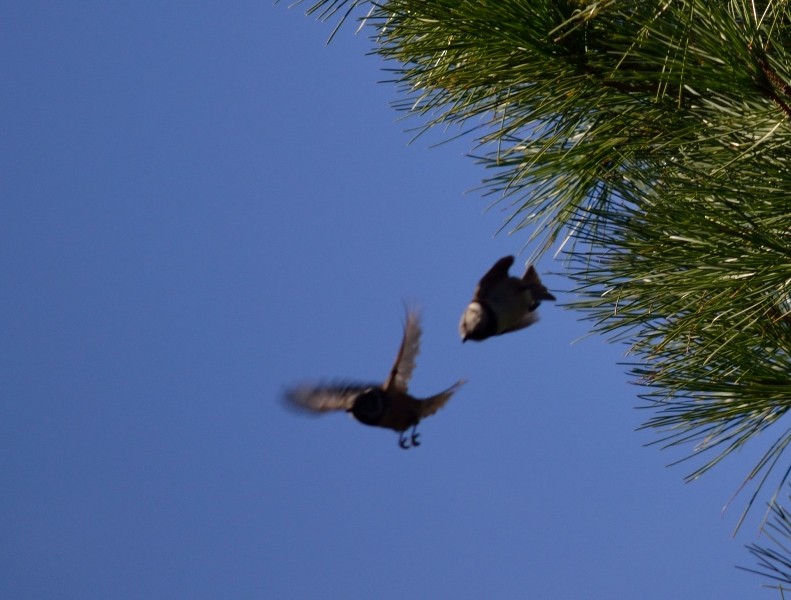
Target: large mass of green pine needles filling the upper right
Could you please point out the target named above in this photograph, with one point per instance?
(651, 141)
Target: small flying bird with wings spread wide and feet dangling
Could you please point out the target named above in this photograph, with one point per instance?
(387, 405)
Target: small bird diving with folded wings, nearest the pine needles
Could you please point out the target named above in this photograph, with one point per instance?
(502, 303)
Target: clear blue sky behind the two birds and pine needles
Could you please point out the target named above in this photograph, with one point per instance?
(203, 204)
